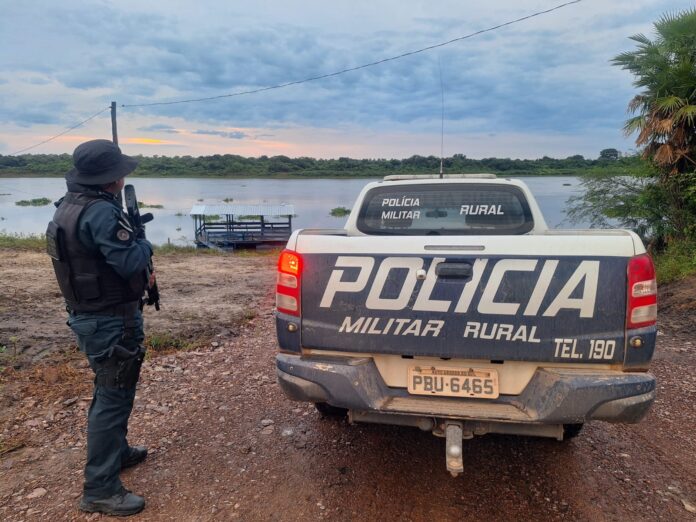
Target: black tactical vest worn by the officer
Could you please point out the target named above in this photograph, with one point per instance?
(86, 281)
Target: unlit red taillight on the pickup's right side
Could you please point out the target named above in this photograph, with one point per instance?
(641, 309)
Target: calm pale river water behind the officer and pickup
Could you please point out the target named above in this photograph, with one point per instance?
(313, 200)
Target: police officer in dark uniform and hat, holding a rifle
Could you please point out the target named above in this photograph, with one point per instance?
(101, 267)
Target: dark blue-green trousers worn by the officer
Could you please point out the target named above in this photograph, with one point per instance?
(107, 421)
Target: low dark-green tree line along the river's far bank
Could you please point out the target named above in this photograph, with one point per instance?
(233, 166)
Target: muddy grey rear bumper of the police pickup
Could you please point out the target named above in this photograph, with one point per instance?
(553, 396)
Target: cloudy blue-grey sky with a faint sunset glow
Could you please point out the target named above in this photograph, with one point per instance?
(541, 87)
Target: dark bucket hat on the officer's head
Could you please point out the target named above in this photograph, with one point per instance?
(98, 162)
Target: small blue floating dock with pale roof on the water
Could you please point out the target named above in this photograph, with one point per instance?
(226, 227)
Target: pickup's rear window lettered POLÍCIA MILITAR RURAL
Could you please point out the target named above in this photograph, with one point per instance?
(445, 209)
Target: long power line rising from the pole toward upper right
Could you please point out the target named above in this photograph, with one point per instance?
(351, 69)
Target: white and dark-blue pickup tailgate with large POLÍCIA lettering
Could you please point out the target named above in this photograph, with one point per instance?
(552, 297)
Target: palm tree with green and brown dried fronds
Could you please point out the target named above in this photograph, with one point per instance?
(665, 70)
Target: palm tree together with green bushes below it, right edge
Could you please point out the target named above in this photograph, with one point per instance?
(657, 200)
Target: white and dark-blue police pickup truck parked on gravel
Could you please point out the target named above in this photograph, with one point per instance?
(447, 304)
